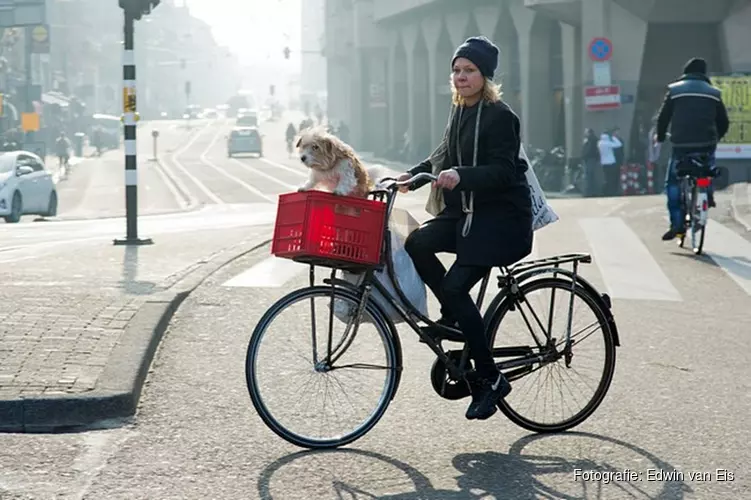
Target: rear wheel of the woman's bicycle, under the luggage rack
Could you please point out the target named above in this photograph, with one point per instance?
(516, 331)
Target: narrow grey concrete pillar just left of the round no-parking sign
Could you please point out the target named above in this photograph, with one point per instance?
(573, 90)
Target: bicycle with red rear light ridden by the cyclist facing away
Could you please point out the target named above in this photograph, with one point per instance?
(695, 173)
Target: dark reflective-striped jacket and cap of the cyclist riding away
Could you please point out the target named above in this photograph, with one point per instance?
(694, 110)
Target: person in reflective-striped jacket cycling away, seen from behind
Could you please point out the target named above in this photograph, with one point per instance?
(697, 117)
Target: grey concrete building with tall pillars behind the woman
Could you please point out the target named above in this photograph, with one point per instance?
(388, 62)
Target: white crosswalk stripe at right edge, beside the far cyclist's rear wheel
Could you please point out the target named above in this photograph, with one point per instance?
(730, 251)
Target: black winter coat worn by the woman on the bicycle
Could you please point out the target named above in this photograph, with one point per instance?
(501, 230)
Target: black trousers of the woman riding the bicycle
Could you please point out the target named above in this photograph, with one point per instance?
(452, 288)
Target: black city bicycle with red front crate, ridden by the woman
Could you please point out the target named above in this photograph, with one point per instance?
(449, 372)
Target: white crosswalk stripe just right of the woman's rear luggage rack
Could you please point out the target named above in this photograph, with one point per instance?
(626, 265)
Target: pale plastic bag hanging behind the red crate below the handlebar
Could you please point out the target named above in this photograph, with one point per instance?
(400, 224)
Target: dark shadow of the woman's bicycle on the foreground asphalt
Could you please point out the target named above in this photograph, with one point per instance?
(518, 474)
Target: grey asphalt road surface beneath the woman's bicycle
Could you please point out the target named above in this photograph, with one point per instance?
(675, 415)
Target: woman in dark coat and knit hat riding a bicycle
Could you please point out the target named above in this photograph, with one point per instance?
(485, 210)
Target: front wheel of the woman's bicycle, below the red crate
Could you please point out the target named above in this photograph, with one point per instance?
(302, 357)
